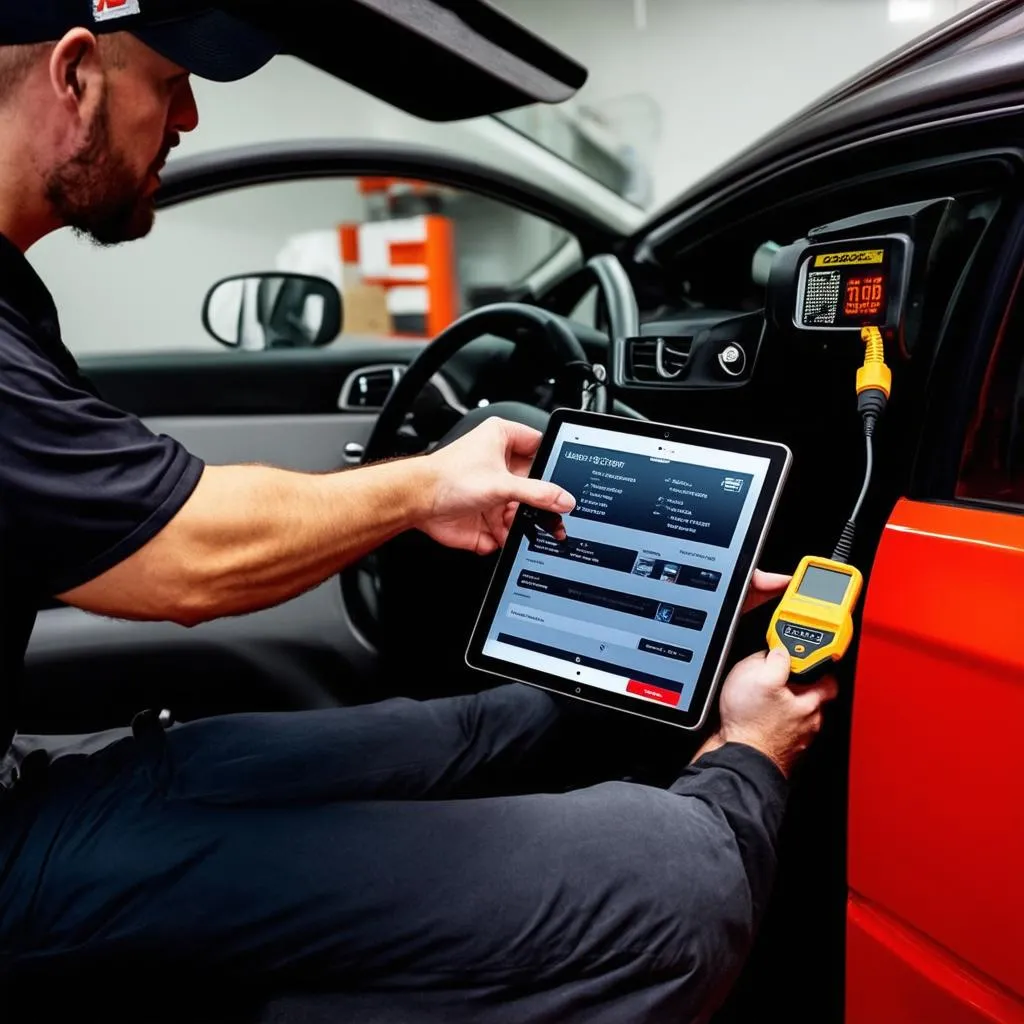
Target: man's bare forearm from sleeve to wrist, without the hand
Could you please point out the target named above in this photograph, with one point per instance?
(251, 537)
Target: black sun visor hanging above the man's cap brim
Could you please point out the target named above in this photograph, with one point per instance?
(439, 60)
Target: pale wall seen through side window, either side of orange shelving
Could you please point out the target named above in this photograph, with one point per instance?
(148, 296)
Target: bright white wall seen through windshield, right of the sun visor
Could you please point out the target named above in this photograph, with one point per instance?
(724, 72)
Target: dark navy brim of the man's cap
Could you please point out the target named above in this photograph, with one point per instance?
(212, 46)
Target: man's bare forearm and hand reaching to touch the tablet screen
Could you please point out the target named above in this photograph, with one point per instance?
(251, 537)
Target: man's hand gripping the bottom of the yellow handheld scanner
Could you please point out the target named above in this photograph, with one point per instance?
(761, 710)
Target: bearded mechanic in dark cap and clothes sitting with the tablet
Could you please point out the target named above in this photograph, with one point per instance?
(319, 849)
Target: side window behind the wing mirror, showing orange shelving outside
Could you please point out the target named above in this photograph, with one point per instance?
(408, 259)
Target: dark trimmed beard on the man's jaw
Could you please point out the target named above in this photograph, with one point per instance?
(98, 194)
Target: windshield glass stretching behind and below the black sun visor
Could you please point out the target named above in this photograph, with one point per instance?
(676, 89)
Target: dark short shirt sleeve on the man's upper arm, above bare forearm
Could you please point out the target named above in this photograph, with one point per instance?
(83, 486)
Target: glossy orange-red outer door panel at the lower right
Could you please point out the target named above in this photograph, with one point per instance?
(936, 763)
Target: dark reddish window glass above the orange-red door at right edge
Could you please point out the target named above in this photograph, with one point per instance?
(993, 463)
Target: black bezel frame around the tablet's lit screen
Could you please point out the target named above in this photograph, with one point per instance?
(780, 459)
